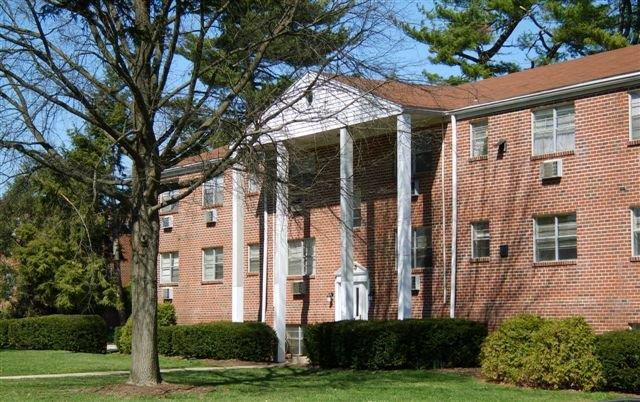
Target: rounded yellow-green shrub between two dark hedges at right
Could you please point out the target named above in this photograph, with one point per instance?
(528, 350)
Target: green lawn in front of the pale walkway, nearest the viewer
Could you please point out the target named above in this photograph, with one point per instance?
(298, 384)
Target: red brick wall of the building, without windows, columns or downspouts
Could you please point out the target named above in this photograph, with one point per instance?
(601, 181)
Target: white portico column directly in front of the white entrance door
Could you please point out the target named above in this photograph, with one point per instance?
(346, 229)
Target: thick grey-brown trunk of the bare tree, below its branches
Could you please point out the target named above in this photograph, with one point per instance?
(145, 369)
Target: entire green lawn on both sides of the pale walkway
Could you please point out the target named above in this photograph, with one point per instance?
(264, 384)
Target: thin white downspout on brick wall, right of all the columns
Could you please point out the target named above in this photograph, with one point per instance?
(454, 213)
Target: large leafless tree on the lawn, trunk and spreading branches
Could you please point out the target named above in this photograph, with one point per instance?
(188, 76)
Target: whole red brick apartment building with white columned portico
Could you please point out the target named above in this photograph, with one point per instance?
(513, 194)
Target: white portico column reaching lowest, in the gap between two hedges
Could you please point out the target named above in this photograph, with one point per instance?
(281, 250)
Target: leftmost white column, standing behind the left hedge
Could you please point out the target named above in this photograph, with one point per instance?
(237, 245)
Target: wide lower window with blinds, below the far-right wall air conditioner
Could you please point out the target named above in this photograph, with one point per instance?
(555, 238)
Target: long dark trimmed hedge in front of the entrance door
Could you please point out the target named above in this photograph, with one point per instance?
(372, 345)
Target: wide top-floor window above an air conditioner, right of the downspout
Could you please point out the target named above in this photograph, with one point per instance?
(553, 130)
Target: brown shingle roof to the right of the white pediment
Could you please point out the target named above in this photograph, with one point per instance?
(539, 79)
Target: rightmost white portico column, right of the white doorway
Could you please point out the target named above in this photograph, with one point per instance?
(403, 258)
